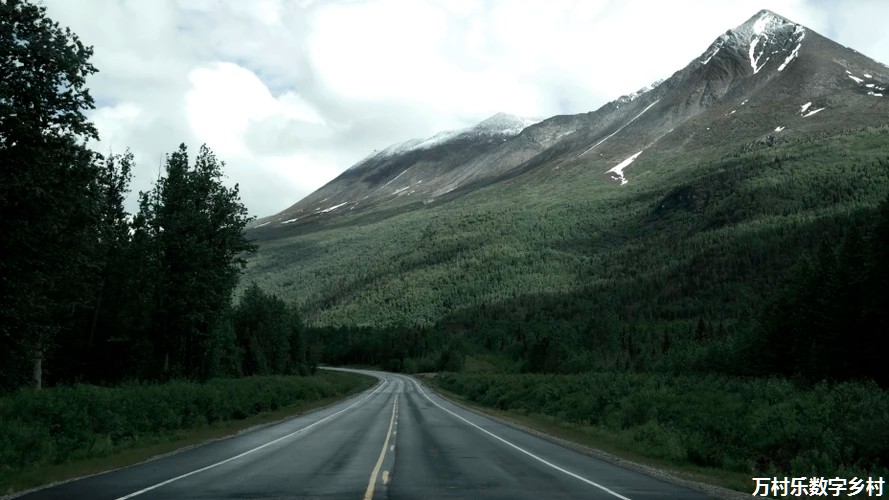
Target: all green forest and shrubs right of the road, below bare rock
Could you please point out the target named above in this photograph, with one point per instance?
(730, 321)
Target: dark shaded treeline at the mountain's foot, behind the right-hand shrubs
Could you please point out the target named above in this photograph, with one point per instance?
(820, 318)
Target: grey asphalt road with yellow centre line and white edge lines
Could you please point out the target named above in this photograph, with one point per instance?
(397, 440)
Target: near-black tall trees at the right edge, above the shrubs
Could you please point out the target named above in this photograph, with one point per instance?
(829, 318)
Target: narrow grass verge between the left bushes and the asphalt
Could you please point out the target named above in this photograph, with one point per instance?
(154, 445)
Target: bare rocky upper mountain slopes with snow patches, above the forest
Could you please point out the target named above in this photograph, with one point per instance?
(767, 76)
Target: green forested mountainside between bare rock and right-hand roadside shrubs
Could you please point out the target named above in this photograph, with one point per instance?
(566, 272)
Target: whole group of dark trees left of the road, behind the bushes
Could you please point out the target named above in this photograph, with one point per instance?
(90, 293)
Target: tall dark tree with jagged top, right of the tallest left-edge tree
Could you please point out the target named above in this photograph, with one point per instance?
(196, 225)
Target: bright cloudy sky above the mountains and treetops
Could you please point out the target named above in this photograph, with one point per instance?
(290, 93)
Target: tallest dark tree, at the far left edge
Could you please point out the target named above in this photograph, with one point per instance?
(47, 185)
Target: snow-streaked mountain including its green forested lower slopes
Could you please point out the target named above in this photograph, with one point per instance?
(687, 198)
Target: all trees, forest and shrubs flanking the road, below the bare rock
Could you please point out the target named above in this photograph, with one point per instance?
(729, 314)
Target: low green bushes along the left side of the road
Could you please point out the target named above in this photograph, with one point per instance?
(63, 424)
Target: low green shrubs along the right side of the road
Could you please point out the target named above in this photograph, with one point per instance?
(760, 426)
